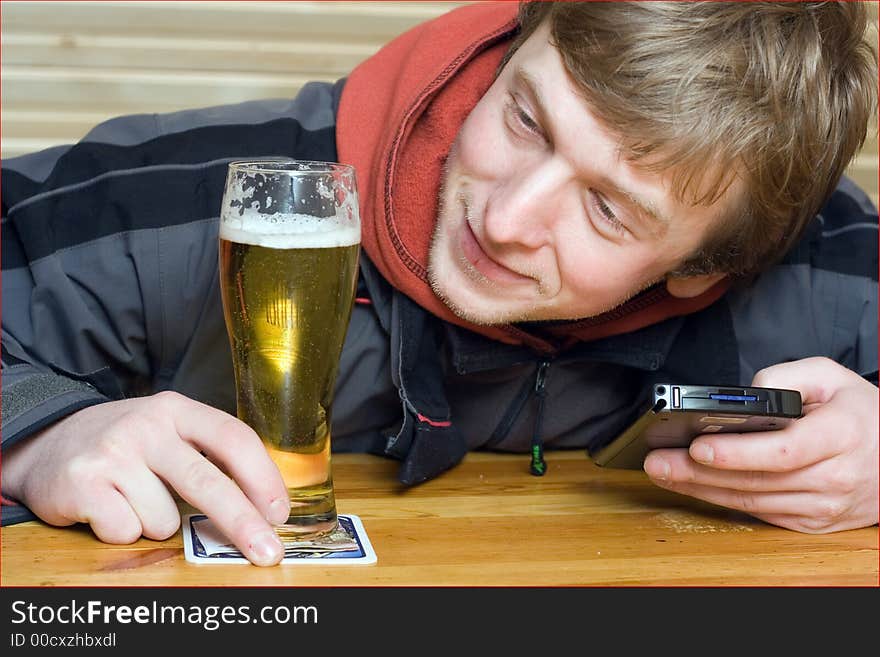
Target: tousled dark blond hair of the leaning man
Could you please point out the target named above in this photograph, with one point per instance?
(778, 94)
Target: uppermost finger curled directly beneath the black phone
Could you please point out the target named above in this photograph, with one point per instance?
(794, 447)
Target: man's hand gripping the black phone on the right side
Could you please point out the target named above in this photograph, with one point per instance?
(817, 475)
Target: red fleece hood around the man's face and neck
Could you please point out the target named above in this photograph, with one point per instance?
(399, 114)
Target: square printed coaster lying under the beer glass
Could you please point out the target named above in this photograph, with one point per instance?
(347, 544)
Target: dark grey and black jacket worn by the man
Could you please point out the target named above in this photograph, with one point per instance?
(110, 290)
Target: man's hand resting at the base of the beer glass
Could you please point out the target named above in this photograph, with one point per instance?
(108, 465)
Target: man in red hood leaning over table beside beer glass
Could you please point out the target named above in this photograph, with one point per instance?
(559, 208)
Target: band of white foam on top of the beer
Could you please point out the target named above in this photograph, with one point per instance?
(289, 231)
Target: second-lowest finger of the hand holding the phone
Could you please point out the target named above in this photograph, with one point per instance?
(755, 503)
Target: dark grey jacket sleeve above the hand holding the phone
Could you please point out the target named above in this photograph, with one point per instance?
(821, 300)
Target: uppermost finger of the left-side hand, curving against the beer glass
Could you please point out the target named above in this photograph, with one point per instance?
(234, 446)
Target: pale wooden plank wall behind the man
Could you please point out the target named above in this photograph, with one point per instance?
(68, 65)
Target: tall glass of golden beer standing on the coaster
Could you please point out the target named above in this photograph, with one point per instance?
(289, 241)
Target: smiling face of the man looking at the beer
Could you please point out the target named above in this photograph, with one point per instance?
(540, 218)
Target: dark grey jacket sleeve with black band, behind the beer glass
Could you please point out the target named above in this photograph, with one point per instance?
(109, 248)
